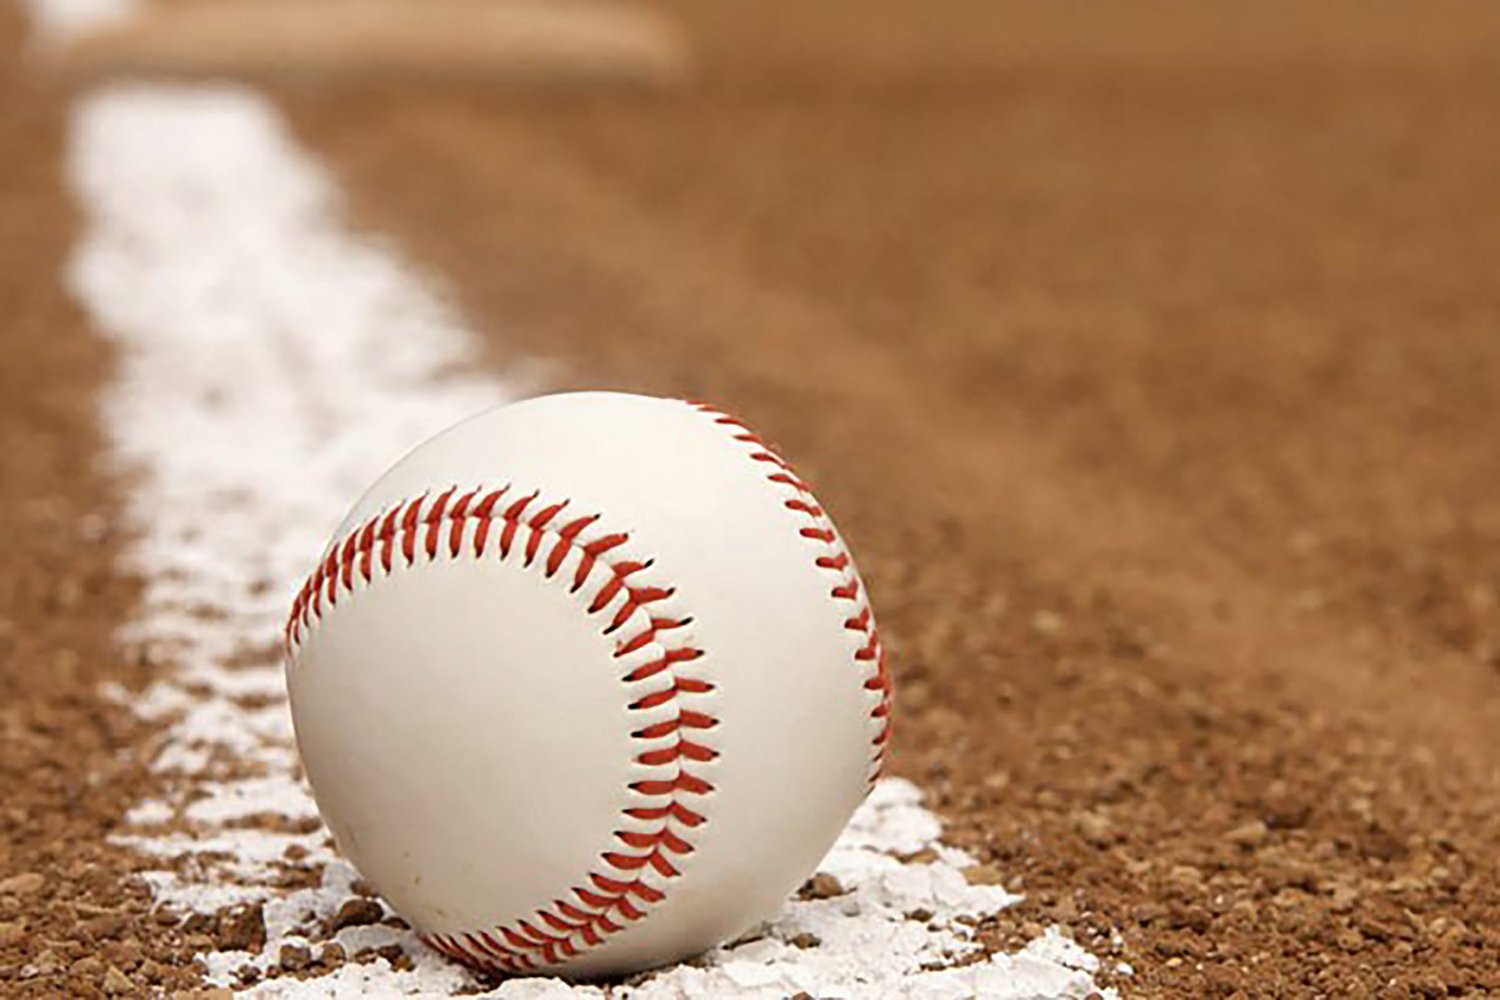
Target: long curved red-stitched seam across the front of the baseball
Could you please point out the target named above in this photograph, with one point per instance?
(602, 905)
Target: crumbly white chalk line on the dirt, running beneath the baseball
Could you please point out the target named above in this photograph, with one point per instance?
(272, 365)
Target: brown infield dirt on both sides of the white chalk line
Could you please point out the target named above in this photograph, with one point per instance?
(1148, 362)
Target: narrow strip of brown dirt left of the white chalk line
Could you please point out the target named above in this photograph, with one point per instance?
(73, 923)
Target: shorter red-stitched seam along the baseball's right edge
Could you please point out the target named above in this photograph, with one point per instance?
(871, 656)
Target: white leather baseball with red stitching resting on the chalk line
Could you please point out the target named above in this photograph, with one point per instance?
(587, 684)
